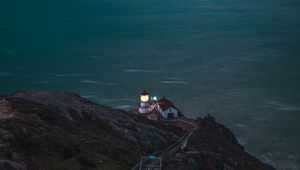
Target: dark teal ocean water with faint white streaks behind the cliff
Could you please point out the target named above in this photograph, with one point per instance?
(236, 59)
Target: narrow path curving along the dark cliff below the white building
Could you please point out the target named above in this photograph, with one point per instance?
(172, 149)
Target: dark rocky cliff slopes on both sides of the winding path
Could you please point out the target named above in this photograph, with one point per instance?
(54, 131)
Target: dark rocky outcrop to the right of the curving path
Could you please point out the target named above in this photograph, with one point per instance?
(212, 147)
